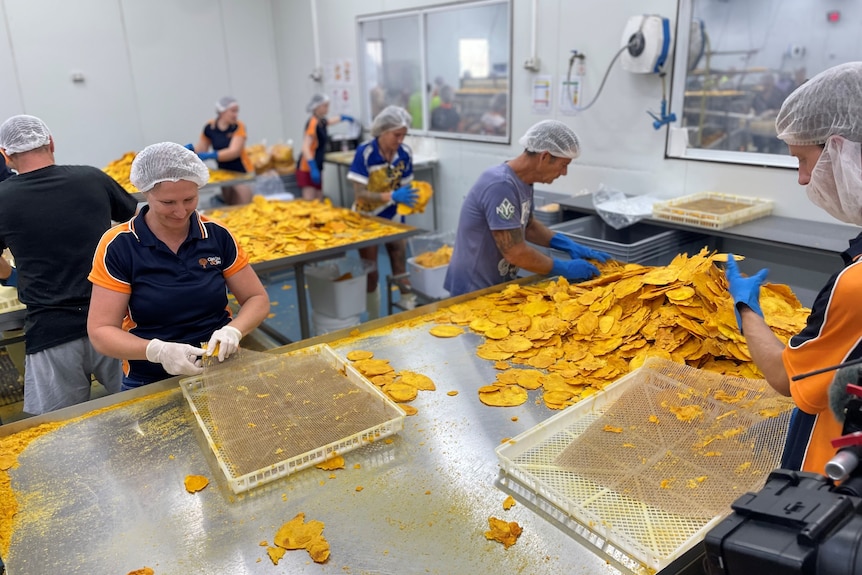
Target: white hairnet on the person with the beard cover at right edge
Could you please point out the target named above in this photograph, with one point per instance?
(829, 104)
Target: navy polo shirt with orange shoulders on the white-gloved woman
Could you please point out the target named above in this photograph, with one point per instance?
(178, 297)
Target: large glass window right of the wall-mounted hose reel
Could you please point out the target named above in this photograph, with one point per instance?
(736, 62)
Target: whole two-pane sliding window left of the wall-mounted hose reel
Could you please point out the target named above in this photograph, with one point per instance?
(459, 54)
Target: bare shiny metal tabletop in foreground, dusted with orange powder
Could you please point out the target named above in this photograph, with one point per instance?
(105, 495)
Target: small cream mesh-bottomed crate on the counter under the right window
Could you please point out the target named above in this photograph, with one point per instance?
(712, 210)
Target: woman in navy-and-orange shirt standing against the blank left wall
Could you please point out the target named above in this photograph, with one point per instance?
(226, 136)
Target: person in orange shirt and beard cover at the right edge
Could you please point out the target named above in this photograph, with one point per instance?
(821, 122)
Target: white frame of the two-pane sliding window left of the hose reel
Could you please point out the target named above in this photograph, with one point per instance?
(421, 14)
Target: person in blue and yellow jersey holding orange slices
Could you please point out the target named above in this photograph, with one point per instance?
(381, 173)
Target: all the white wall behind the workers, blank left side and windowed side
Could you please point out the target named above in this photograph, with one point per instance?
(153, 71)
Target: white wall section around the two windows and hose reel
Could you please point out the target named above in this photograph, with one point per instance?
(620, 147)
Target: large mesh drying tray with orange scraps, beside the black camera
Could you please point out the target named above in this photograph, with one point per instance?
(641, 492)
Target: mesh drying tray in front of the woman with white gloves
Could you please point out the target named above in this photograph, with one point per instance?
(266, 416)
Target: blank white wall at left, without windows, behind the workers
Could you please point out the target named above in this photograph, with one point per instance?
(152, 70)
